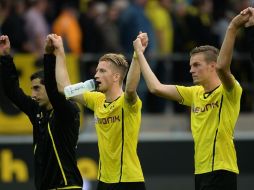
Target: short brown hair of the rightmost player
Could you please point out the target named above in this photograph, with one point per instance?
(210, 52)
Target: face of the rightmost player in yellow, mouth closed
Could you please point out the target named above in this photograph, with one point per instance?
(199, 69)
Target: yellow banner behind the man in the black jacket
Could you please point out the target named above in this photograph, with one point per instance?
(12, 120)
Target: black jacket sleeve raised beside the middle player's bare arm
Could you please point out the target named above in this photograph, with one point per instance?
(63, 108)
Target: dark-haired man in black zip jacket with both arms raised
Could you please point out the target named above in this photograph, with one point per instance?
(55, 122)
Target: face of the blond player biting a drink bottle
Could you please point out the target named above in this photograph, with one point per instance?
(104, 76)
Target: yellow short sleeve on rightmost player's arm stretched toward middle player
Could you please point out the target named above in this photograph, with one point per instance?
(186, 93)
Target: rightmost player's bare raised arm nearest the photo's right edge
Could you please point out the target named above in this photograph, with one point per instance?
(226, 51)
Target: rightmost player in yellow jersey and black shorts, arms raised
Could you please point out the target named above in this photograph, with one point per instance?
(215, 105)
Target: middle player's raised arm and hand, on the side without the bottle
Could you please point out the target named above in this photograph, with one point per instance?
(133, 75)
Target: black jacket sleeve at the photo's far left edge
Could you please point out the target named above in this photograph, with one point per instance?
(12, 89)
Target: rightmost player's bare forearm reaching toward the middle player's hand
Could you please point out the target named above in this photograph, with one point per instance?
(151, 80)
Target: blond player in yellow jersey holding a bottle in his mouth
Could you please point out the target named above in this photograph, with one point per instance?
(117, 116)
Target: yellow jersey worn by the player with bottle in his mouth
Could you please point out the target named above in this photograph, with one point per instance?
(117, 126)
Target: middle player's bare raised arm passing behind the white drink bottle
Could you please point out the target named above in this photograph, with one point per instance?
(61, 72)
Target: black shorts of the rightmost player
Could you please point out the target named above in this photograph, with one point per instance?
(216, 180)
